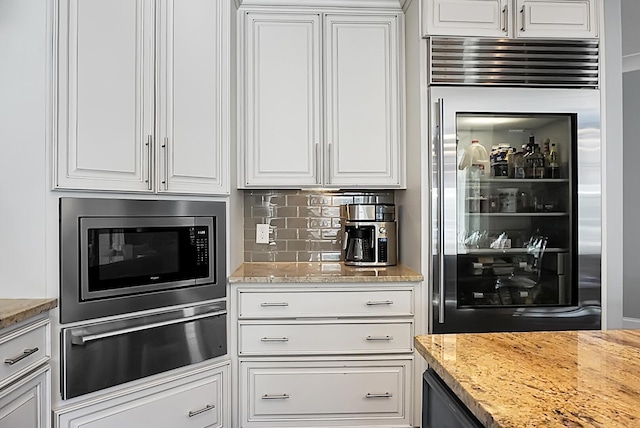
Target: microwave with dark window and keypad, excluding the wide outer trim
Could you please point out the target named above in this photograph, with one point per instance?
(132, 255)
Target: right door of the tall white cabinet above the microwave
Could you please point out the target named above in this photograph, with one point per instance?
(193, 96)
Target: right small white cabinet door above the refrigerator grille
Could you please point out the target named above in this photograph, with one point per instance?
(556, 18)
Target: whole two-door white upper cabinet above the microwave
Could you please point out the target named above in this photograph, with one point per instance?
(143, 96)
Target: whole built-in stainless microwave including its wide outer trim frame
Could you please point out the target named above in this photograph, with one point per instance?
(120, 256)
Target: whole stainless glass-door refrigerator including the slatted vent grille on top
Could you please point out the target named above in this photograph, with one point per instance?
(516, 237)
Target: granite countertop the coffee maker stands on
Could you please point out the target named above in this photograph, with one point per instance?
(321, 272)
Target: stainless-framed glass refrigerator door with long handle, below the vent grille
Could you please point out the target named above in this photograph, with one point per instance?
(468, 261)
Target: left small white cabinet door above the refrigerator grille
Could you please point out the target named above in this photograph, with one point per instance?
(482, 18)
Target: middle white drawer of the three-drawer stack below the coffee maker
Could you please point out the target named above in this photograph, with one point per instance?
(299, 337)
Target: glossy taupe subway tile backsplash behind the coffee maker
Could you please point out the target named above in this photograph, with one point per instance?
(304, 225)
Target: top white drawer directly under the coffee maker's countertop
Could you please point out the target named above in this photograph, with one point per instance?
(298, 304)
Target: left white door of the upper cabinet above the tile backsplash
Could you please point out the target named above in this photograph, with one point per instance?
(281, 134)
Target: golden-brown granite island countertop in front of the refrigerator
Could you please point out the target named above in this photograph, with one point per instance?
(544, 379)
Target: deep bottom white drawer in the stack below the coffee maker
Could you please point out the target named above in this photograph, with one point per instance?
(341, 393)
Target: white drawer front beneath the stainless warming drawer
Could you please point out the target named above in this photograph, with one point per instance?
(193, 405)
